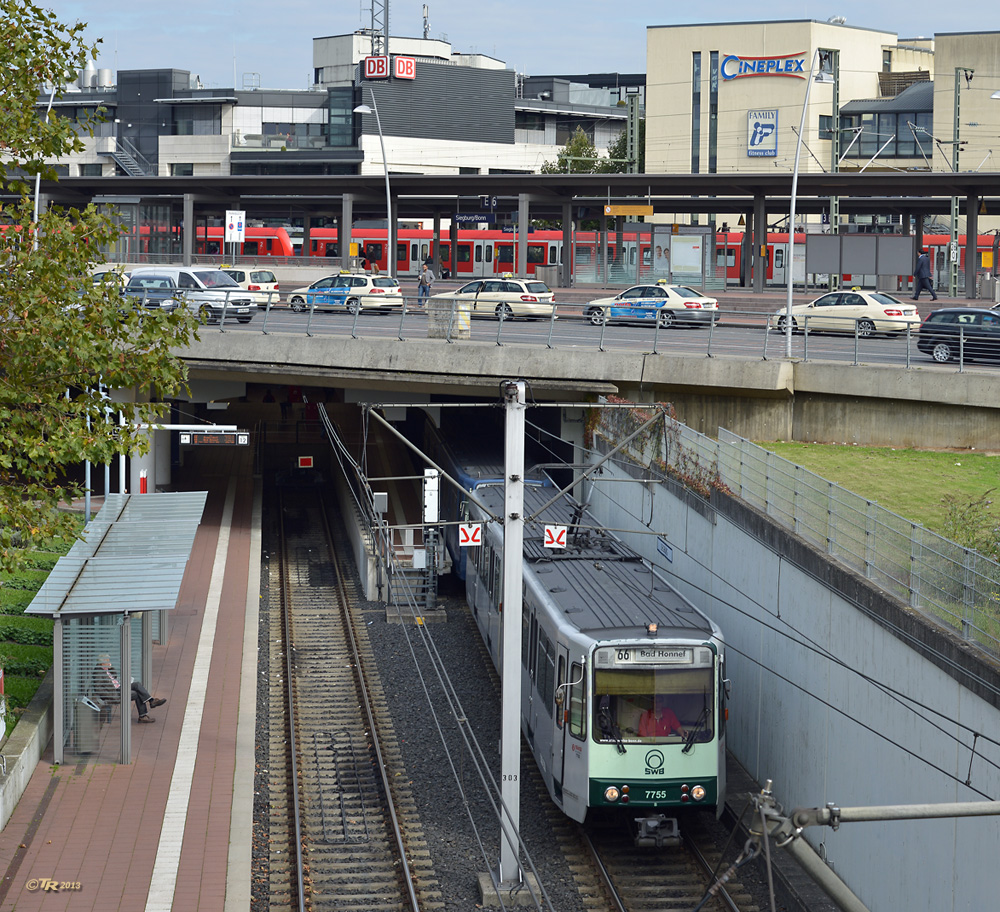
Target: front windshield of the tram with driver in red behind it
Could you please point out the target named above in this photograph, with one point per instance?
(653, 705)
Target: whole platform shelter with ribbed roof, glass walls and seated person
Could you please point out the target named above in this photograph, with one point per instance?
(109, 598)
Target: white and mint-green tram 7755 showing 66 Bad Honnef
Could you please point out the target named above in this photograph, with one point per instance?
(612, 658)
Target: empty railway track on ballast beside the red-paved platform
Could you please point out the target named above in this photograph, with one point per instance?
(344, 834)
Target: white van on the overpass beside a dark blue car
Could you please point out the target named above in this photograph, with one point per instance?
(205, 289)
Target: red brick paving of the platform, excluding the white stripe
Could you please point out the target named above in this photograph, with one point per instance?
(97, 824)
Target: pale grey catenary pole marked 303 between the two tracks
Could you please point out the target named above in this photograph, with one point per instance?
(513, 561)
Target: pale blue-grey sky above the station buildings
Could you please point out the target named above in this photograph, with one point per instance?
(221, 41)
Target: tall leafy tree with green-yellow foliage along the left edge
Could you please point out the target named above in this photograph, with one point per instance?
(62, 337)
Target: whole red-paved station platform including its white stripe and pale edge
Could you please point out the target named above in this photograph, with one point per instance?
(172, 830)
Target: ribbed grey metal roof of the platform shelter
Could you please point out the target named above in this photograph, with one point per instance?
(131, 558)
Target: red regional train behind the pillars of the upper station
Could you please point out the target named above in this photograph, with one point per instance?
(491, 252)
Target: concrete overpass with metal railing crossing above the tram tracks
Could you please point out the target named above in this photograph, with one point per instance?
(755, 392)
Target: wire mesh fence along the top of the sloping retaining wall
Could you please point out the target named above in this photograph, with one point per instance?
(951, 584)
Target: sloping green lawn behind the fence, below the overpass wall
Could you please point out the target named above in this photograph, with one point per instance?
(912, 483)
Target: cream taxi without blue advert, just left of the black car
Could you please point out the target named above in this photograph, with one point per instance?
(846, 311)
